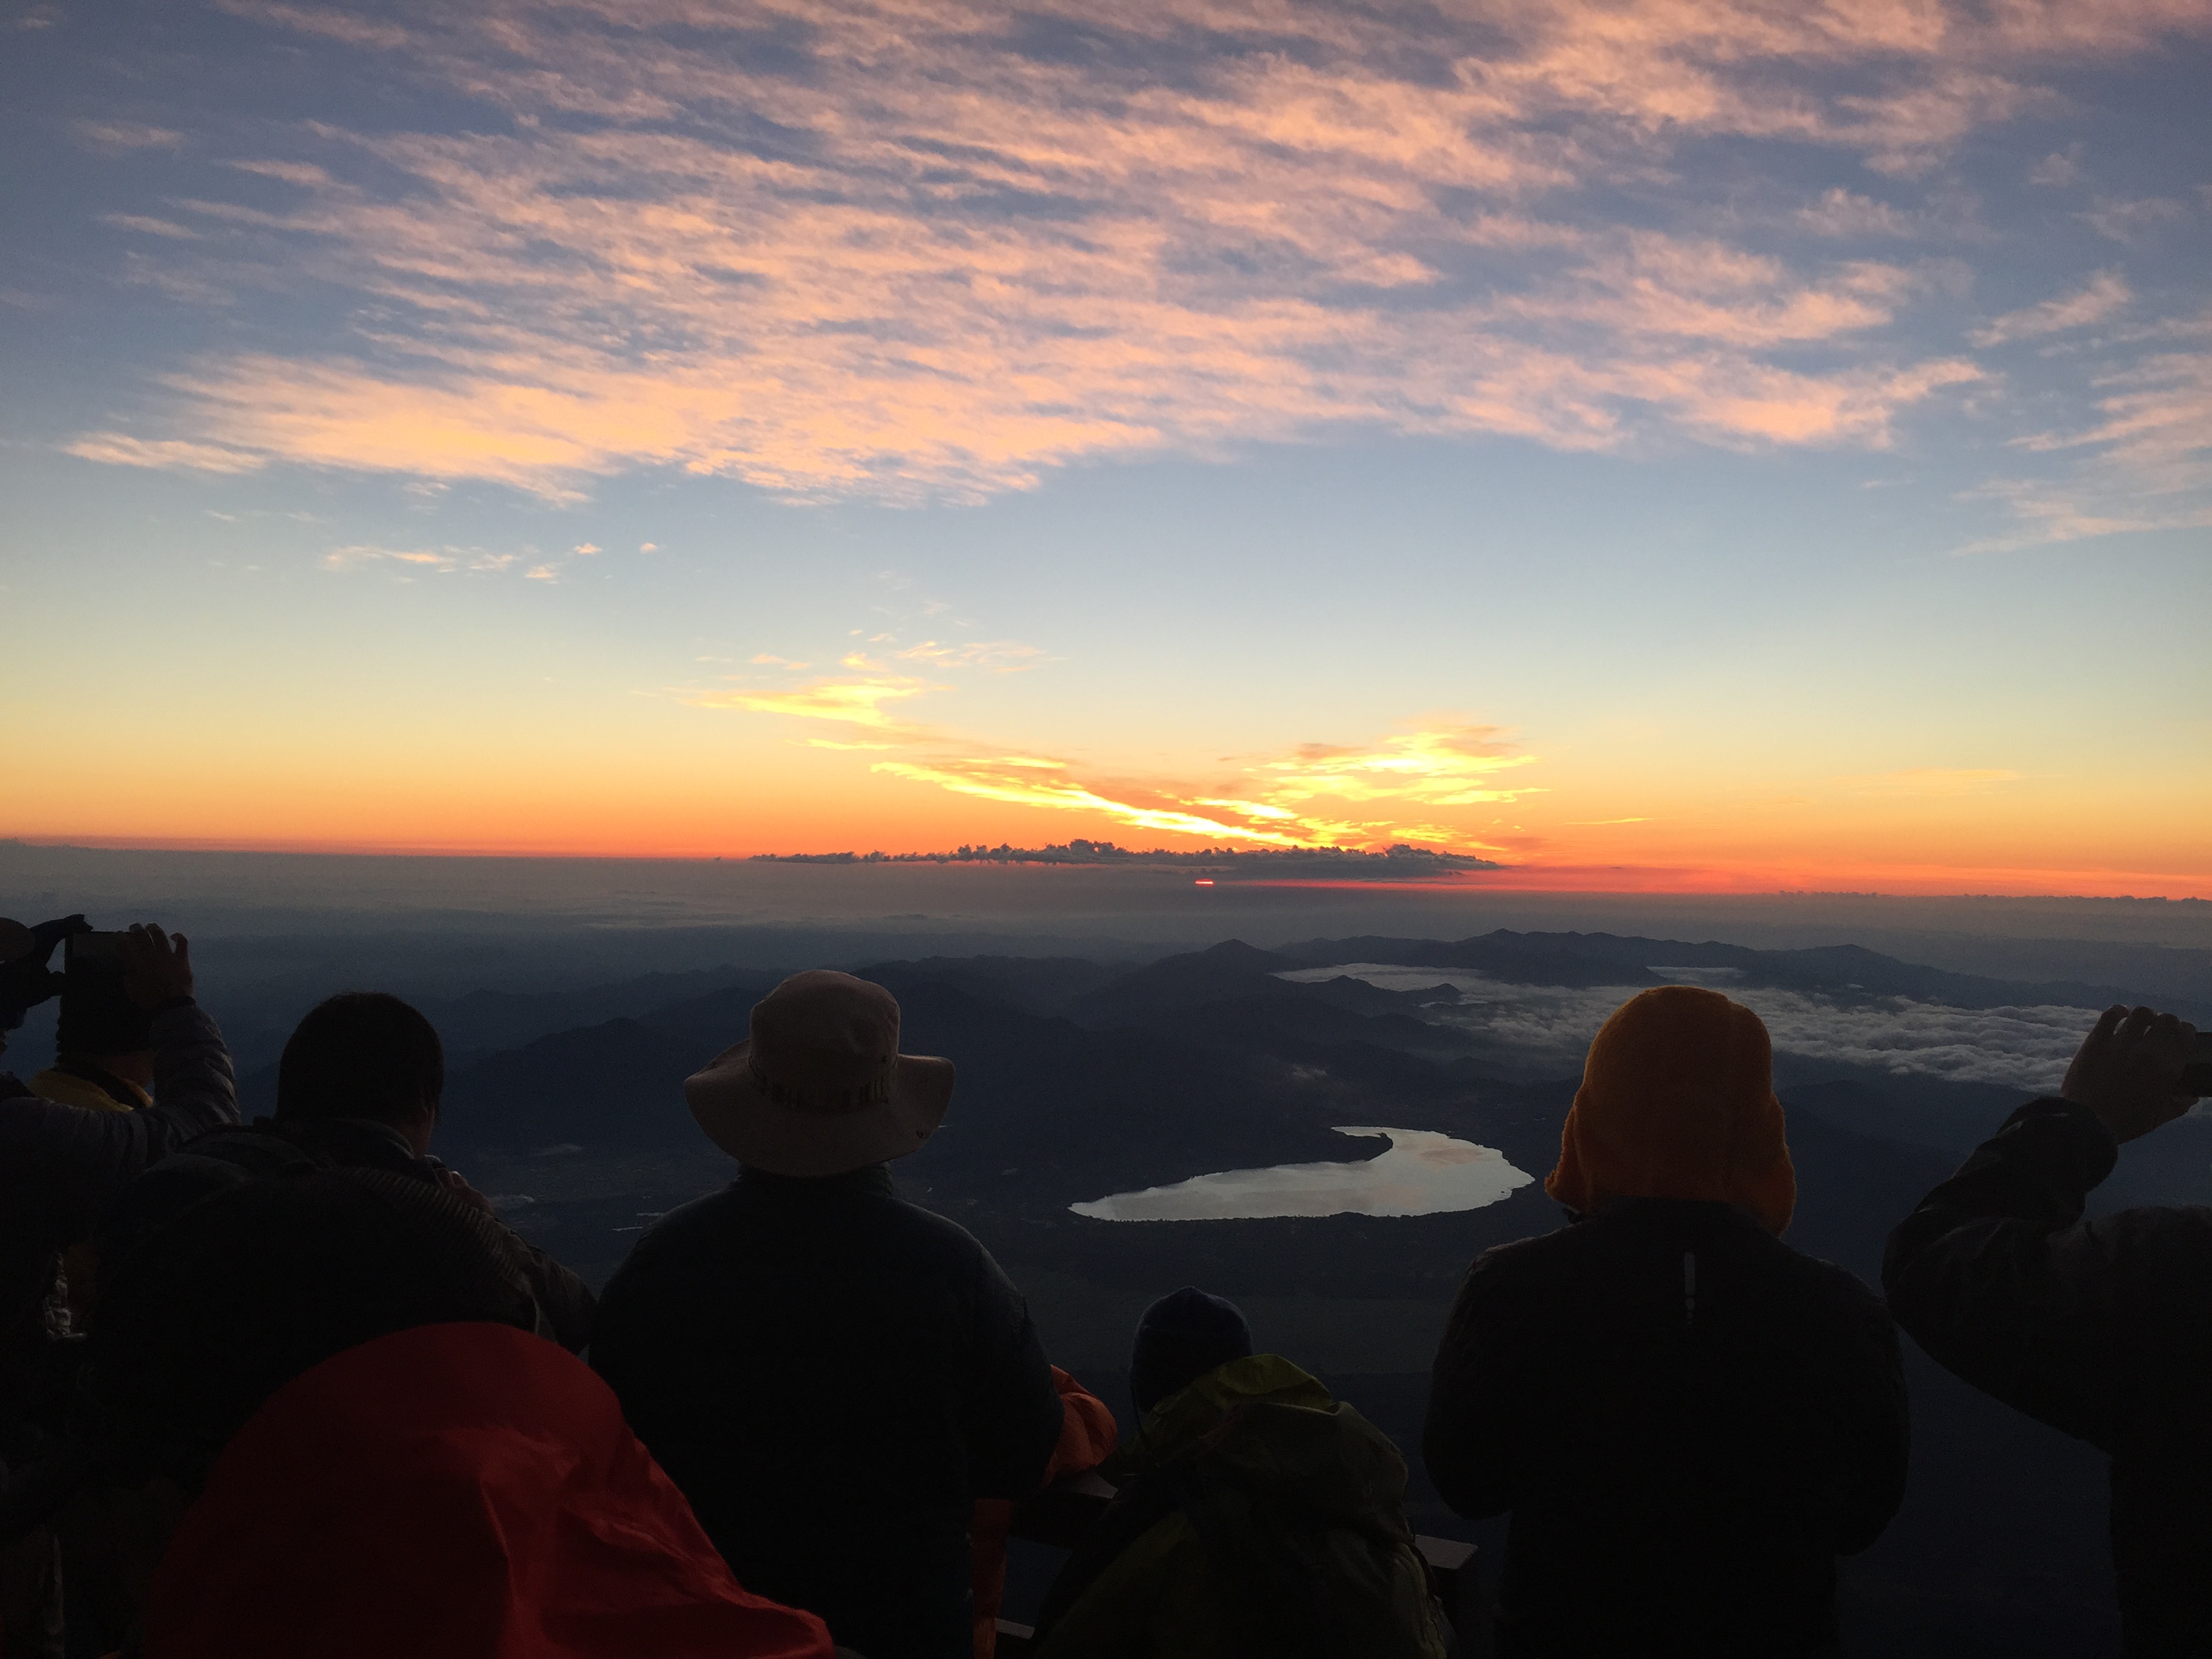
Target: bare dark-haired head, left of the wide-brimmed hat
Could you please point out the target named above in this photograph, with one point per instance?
(364, 1056)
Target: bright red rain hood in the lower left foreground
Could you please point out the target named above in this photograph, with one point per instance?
(452, 1492)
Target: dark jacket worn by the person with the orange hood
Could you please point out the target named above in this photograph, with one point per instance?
(1689, 1423)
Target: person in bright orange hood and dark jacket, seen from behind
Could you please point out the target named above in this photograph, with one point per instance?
(1687, 1419)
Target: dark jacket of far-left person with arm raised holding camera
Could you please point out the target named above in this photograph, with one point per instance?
(63, 1167)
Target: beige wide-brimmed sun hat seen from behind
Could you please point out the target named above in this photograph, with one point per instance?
(820, 1087)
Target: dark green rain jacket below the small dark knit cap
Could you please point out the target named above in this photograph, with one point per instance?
(1255, 1516)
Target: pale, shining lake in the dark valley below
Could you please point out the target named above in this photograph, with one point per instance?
(1421, 1173)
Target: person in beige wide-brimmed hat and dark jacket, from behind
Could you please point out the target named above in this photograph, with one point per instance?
(828, 1373)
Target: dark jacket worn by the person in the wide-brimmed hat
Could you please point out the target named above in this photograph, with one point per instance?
(833, 1377)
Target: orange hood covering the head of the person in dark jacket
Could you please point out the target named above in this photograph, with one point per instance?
(1678, 1103)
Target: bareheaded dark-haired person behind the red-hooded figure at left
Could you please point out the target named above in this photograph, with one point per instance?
(357, 1089)
